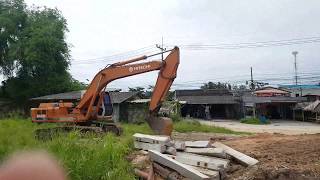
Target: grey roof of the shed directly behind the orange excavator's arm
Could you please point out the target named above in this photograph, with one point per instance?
(116, 97)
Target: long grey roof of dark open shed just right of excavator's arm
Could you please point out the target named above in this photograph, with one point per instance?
(209, 99)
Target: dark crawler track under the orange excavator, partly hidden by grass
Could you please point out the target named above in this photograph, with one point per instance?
(50, 133)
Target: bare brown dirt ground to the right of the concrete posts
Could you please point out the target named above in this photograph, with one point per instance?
(280, 156)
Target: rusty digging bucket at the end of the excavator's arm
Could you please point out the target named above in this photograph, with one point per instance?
(160, 125)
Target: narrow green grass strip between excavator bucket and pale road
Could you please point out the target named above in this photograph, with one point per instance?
(195, 126)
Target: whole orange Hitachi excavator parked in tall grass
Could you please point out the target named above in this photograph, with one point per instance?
(94, 111)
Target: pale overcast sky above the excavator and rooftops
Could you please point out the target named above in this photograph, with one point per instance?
(100, 28)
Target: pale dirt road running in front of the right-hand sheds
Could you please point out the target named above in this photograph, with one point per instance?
(281, 126)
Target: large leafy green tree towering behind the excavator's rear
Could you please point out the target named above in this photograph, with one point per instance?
(34, 56)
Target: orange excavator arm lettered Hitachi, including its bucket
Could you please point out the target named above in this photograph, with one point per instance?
(84, 111)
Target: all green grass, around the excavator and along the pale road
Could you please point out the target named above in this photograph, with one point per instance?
(86, 157)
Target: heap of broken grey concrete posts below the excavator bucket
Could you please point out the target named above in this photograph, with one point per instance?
(187, 159)
